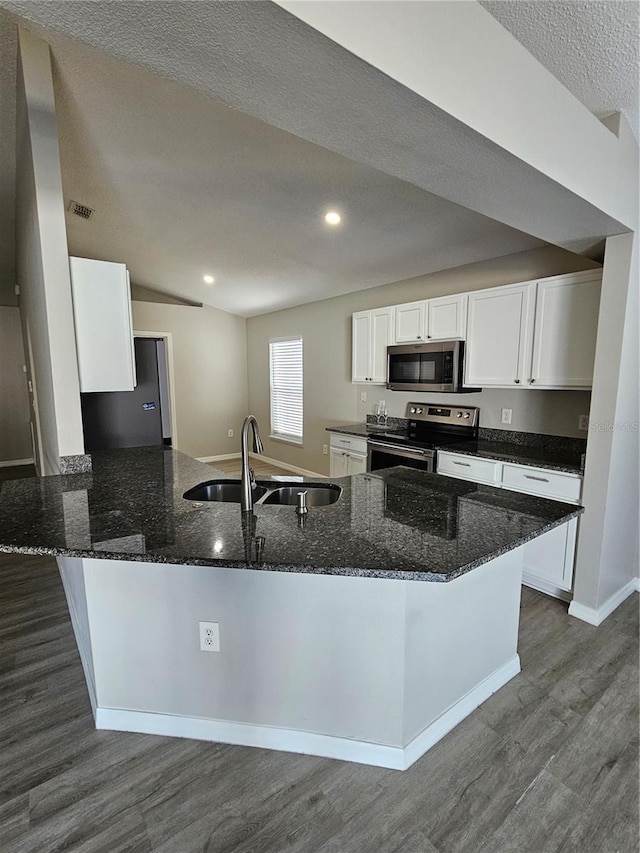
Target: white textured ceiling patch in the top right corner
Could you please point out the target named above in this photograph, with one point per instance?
(590, 47)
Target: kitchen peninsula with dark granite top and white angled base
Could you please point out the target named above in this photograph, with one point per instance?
(365, 633)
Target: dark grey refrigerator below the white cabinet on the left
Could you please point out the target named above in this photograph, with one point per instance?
(135, 418)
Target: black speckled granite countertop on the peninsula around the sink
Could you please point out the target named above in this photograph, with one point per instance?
(396, 523)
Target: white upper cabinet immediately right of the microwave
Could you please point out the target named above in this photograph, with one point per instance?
(499, 335)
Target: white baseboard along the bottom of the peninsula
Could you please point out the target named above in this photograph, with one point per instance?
(308, 743)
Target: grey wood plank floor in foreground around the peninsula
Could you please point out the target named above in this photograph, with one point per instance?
(549, 764)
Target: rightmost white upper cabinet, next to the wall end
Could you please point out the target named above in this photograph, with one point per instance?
(564, 338)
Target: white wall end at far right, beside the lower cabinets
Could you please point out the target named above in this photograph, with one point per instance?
(607, 556)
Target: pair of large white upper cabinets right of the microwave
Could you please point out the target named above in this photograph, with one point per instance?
(534, 335)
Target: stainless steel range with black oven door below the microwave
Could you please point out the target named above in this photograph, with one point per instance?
(428, 427)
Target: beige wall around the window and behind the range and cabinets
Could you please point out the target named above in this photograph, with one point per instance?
(329, 395)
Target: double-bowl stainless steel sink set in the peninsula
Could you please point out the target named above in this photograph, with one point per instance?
(265, 494)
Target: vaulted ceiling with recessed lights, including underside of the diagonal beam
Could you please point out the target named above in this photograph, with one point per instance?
(161, 158)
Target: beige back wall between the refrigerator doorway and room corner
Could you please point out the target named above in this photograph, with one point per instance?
(210, 372)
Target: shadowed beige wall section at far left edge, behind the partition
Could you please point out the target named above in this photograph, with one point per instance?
(15, 433)
